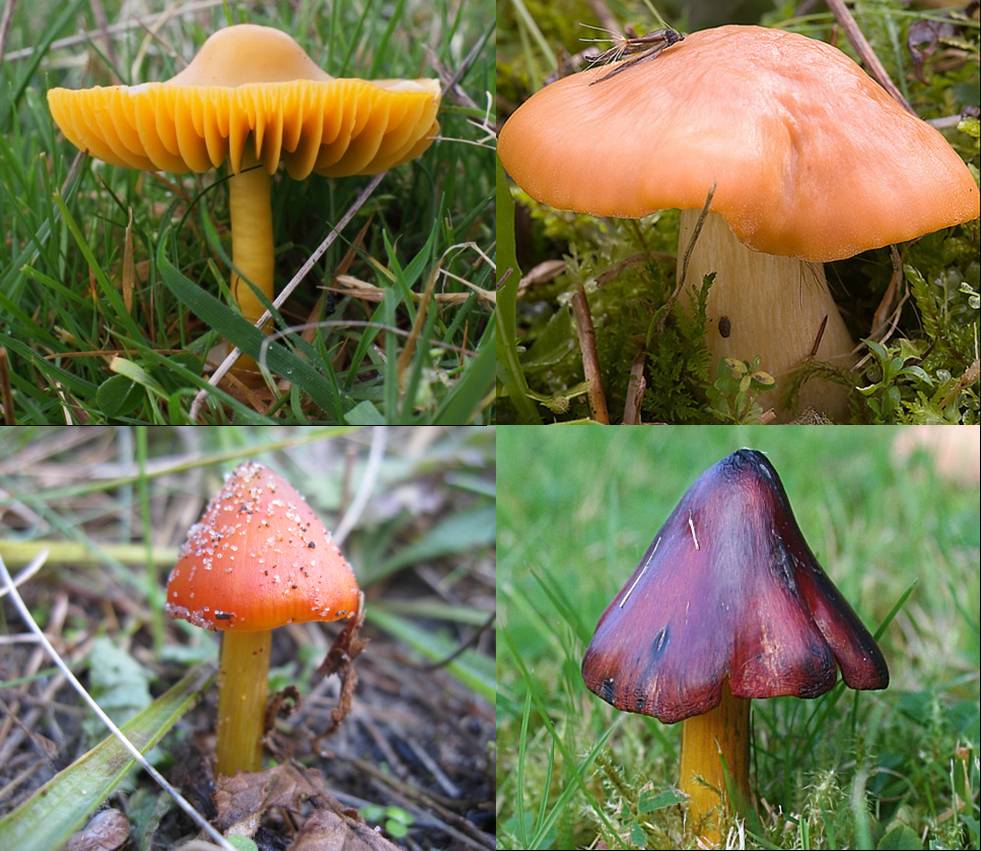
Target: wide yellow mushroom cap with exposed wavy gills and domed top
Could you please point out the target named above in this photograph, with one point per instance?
(251, 80)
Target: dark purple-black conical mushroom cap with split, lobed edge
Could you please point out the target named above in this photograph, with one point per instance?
(728, 590)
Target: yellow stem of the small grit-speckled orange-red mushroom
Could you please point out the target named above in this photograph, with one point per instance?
(242, 700)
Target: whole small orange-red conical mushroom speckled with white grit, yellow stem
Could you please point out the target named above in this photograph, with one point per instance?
(258, 558)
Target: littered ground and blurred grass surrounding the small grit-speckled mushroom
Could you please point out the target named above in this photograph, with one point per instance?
(419, 737)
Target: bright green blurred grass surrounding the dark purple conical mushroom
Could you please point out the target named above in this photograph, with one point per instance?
(578, 506)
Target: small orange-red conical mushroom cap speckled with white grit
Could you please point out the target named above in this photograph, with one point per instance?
(259, 558)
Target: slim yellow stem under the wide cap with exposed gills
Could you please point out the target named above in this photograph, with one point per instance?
(252, 236)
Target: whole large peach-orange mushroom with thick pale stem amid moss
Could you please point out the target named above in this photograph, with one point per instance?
(809, 158)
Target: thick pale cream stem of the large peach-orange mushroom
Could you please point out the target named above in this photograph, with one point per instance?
(771, 306)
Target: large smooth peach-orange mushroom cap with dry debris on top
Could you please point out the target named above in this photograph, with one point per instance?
(809, 156)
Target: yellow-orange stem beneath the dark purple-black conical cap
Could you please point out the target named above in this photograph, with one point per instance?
(721, 732)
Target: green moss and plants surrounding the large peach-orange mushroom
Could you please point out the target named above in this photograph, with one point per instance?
(925, 373)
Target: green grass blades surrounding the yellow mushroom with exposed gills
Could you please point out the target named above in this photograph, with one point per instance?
(89, 343)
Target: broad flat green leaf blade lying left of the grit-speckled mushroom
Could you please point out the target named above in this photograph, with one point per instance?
(60, 807)
